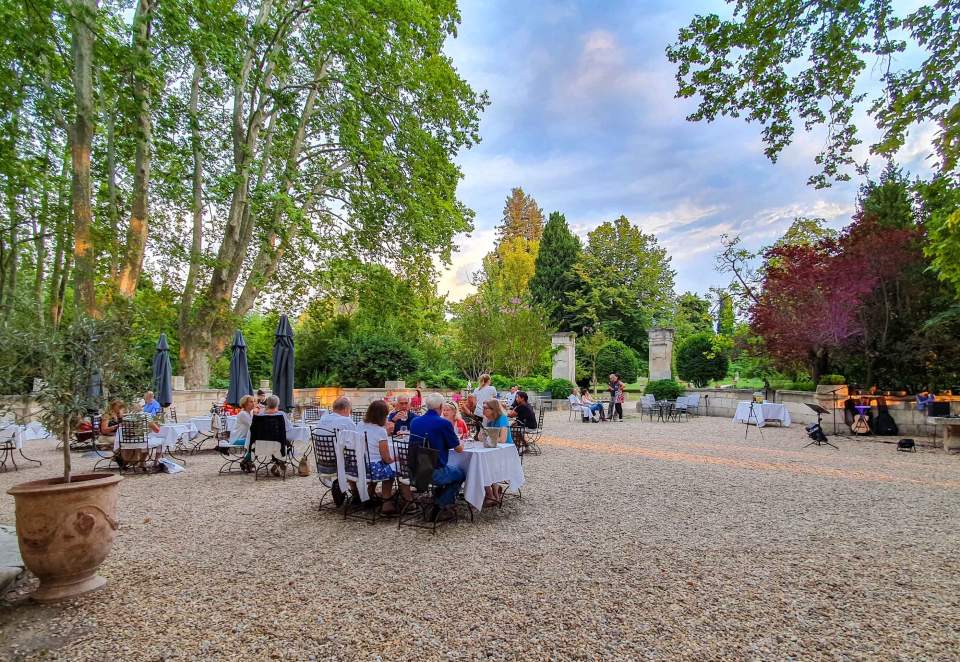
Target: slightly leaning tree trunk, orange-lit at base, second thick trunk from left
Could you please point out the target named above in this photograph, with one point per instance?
(139, 224)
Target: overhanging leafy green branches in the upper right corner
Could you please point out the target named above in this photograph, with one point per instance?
(784, 64)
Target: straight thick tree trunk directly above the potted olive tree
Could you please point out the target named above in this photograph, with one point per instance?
(83, 14)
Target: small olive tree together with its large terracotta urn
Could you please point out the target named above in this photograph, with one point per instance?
(66, 524)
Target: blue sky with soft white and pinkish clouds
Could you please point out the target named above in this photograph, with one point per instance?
(583, 118)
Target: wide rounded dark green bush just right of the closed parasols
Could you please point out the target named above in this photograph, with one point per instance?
(367, 361)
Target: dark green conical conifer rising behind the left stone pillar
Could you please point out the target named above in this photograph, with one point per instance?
(554, 281)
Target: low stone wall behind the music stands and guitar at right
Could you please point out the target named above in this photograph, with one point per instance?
(723, 403)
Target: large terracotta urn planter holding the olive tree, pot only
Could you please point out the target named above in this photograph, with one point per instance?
(66, 530)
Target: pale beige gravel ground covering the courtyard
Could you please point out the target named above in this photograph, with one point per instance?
(632, 540)
